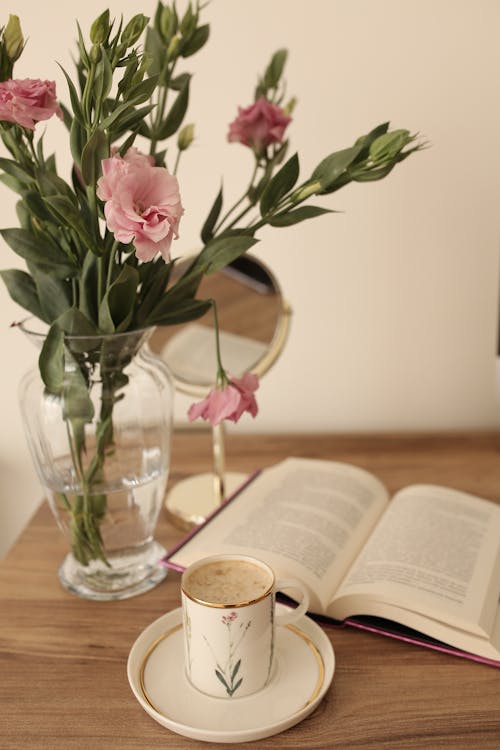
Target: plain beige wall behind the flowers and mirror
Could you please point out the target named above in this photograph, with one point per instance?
(394, 298)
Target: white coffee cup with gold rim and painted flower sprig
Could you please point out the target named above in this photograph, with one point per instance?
(228, 607)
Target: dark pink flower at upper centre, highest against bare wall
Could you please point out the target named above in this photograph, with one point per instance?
(259, 125)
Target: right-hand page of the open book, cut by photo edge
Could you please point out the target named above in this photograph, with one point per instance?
(436, 552)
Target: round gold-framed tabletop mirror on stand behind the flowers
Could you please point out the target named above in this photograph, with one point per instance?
(253, 326)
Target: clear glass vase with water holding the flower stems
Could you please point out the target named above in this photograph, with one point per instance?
(101, 448)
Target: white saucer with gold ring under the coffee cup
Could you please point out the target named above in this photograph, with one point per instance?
(303, 671)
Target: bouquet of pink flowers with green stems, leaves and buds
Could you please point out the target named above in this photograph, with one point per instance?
(97, 243)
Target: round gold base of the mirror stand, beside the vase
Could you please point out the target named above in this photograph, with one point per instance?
(192, 500)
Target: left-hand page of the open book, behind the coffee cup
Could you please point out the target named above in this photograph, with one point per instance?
(307, 518)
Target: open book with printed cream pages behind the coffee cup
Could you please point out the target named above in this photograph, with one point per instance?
(428, 559)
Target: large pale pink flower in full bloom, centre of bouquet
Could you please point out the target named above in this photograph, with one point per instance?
(142, 203)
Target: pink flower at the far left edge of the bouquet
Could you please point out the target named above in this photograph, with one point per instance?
(27, 101)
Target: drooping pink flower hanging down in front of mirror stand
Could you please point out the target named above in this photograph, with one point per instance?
(229, 402)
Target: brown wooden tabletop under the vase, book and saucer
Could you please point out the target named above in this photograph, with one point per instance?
(63, 682)
